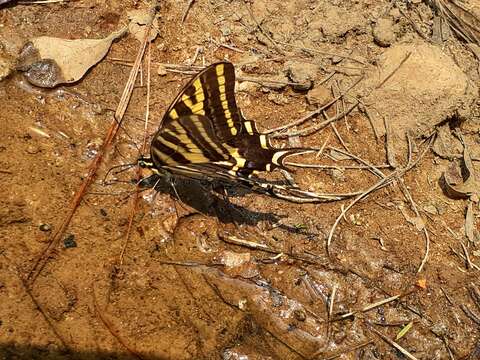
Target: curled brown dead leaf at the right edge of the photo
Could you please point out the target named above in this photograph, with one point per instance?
(464, 186)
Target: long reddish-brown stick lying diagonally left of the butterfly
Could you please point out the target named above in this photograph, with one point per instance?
(92, 170)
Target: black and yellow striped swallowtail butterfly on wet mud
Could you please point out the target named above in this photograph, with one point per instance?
(204, 135)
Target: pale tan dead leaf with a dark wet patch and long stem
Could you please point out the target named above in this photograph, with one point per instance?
(49, 61)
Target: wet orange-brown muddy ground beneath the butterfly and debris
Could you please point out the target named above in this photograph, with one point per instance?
(183, 289)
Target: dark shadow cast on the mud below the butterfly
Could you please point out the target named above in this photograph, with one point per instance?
(212, 198)
